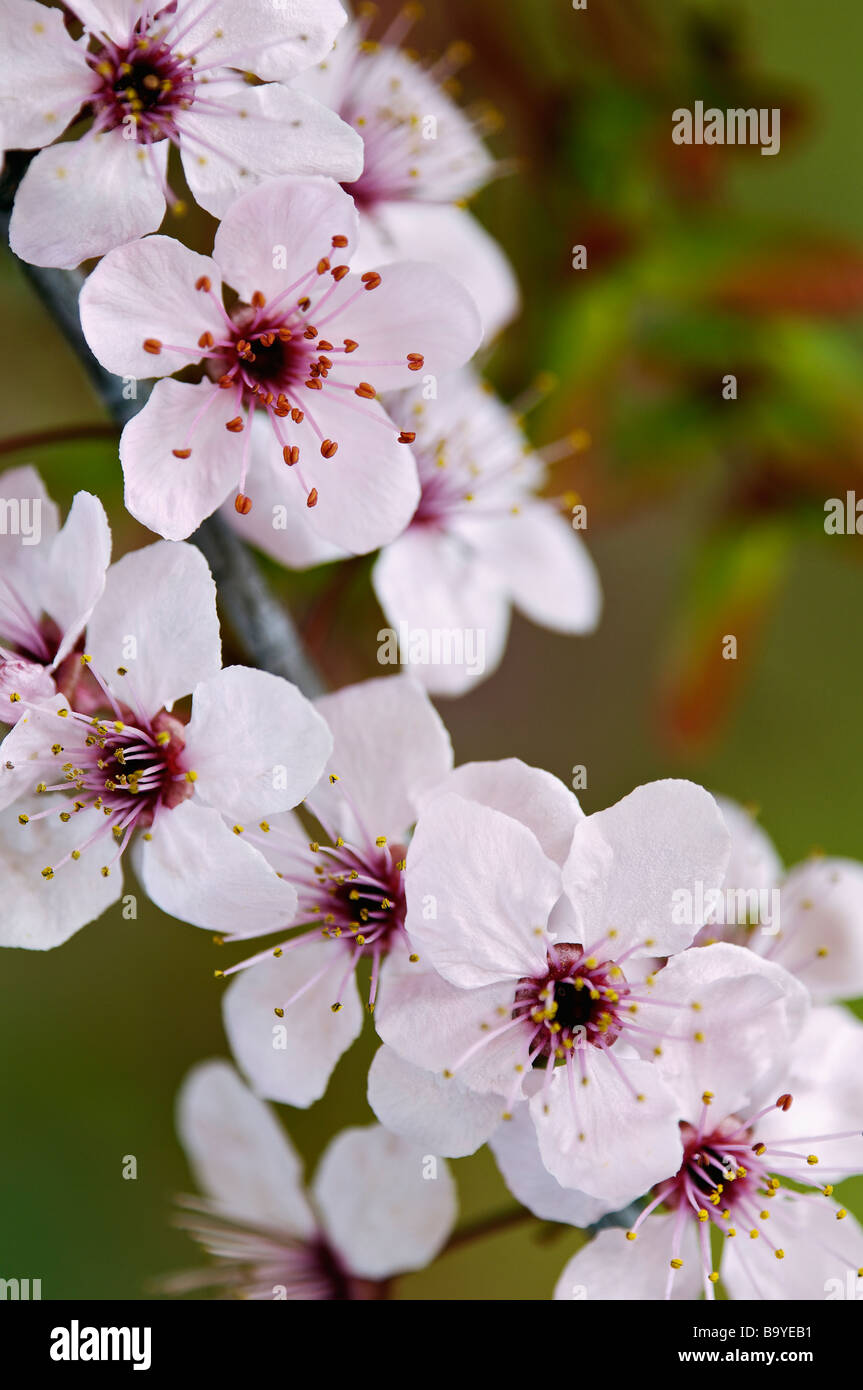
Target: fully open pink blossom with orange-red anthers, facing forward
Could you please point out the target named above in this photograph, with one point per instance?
(297, 352)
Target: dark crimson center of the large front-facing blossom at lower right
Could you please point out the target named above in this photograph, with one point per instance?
(579, 1003)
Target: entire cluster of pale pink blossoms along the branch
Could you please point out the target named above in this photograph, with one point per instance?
(523, 964)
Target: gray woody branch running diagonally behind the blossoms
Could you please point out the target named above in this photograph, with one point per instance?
(262, 628)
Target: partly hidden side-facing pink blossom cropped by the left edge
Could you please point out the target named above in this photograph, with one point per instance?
(51, 580)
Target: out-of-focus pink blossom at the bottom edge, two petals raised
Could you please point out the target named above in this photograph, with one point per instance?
(373, 1211)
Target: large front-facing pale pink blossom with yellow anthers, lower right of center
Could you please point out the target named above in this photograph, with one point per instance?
(529, 919)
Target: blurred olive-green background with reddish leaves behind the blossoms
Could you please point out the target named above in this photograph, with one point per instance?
(705, 518)
